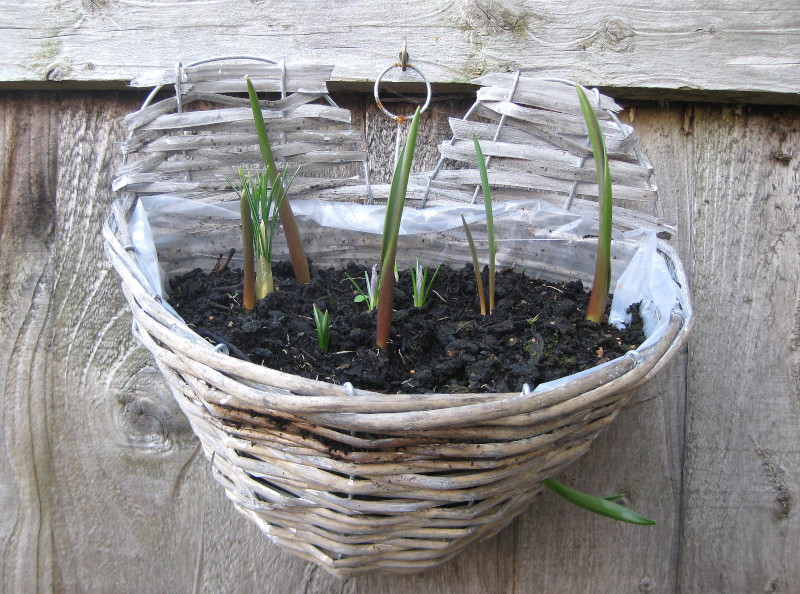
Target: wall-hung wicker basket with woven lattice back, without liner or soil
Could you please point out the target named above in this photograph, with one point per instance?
(353, 480)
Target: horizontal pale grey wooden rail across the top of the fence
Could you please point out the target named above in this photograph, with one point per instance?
(743, 50)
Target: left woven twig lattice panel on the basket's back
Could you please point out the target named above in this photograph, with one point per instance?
(191, 144)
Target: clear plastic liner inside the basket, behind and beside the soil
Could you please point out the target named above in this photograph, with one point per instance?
(186, 234)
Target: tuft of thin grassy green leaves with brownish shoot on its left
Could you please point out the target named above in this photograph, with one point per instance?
(259, 204)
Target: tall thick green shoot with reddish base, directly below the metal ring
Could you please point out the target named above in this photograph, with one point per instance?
(391, 230)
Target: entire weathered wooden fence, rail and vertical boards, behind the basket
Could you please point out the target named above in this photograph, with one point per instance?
(103, 487)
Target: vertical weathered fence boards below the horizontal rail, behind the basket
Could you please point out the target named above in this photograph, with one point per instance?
(103, 488)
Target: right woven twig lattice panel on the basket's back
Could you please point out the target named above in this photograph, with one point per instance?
(534, 135)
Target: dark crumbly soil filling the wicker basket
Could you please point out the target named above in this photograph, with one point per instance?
(536, 334)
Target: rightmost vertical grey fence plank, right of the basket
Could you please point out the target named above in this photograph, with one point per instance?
(742, 471)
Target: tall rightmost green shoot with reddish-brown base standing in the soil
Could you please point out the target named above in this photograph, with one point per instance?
(602, 270)
